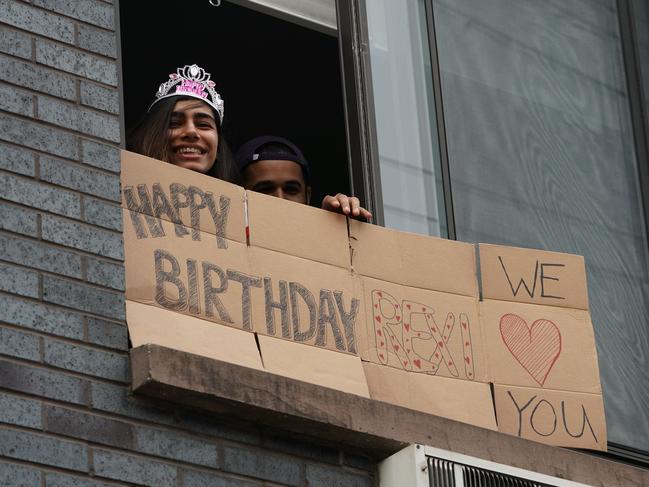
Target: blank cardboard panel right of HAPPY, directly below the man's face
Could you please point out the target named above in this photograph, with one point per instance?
(298, 230)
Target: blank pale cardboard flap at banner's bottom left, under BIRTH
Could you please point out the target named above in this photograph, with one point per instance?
(149, 324)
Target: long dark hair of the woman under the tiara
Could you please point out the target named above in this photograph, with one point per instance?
(150, 138)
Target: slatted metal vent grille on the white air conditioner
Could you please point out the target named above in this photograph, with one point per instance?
(446, 473)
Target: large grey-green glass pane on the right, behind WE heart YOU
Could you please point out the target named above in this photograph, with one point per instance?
(542, 155)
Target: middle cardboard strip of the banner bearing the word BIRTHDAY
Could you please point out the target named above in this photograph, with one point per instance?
(245, 287)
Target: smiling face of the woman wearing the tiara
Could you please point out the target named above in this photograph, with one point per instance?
(193, 137)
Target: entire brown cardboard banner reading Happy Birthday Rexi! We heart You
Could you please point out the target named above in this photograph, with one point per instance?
(310, 295)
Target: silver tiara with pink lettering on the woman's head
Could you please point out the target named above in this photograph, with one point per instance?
(191, 80)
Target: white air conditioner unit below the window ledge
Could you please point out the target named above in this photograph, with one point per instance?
(425, 466)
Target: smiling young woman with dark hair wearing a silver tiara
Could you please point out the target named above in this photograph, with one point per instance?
(183, 126)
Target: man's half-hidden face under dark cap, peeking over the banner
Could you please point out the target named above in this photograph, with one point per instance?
(283, 179)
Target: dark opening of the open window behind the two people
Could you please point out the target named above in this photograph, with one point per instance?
(276, 76)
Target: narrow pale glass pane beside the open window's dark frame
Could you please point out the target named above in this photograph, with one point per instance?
(405, 116)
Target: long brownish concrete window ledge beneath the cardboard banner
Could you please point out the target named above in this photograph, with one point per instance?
(378, 429)
